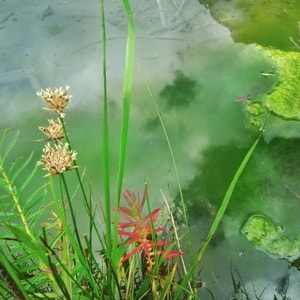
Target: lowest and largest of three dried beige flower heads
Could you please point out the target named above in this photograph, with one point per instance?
(57, 160)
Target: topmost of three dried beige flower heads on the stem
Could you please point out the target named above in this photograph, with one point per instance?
(57, 100)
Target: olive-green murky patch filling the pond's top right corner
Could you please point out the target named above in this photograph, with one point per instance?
(249, 24)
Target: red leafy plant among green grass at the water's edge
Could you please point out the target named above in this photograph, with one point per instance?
(140, 230)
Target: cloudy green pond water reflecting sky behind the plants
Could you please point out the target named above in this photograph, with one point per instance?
(201, 79)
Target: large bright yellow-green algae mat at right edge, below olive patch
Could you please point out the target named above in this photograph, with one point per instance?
(282, 103)
